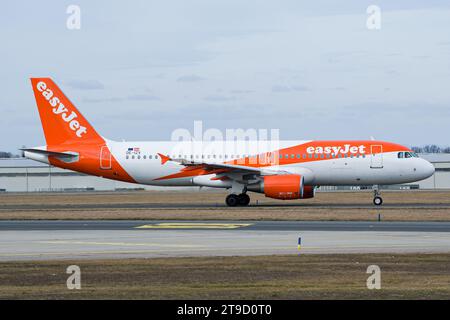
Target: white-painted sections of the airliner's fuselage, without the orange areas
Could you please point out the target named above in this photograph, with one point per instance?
(145, 165)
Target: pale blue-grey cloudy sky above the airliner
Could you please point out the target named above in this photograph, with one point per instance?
(138, 70)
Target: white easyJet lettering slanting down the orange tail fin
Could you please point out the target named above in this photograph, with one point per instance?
(61, 109)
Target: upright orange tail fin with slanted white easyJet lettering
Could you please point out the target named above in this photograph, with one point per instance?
(61, 121)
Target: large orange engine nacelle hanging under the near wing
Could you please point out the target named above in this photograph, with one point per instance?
(284, 187)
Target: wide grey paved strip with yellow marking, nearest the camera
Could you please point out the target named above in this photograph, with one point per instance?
(48, 240)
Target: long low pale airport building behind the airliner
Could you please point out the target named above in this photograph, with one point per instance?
(24, 175)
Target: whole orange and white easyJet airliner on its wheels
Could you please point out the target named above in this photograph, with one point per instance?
(283, 170)
